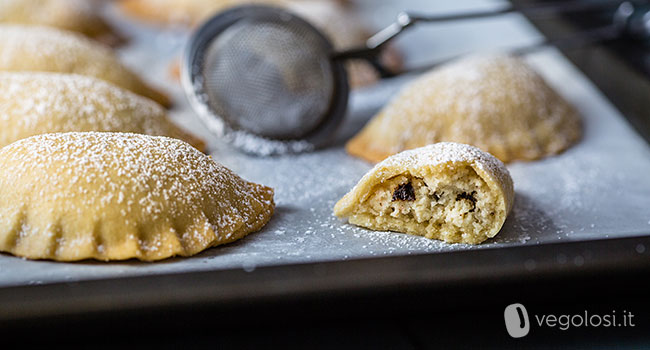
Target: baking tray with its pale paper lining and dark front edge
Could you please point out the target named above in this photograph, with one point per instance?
(597, 191)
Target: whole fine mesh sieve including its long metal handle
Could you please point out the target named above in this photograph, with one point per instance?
(269, 82)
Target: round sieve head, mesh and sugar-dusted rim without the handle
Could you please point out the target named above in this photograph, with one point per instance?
(263, 78)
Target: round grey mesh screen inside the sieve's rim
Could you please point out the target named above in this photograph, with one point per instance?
(269, 78)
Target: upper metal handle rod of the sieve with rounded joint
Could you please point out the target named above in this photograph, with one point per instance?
(406, 20)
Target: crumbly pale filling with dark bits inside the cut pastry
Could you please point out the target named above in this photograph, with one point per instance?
(455, 205)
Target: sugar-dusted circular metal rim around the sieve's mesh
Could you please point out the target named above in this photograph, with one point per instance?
(192, 72)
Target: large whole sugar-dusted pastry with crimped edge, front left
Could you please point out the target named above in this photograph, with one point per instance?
(115, 196)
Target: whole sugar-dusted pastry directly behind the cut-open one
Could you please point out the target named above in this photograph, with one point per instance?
(495, 102)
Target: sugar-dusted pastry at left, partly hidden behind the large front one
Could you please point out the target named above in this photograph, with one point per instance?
(33, 103)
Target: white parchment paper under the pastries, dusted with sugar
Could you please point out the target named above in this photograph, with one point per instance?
(599, 188)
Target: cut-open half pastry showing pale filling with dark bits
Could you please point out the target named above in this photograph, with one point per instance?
(448, 191)
